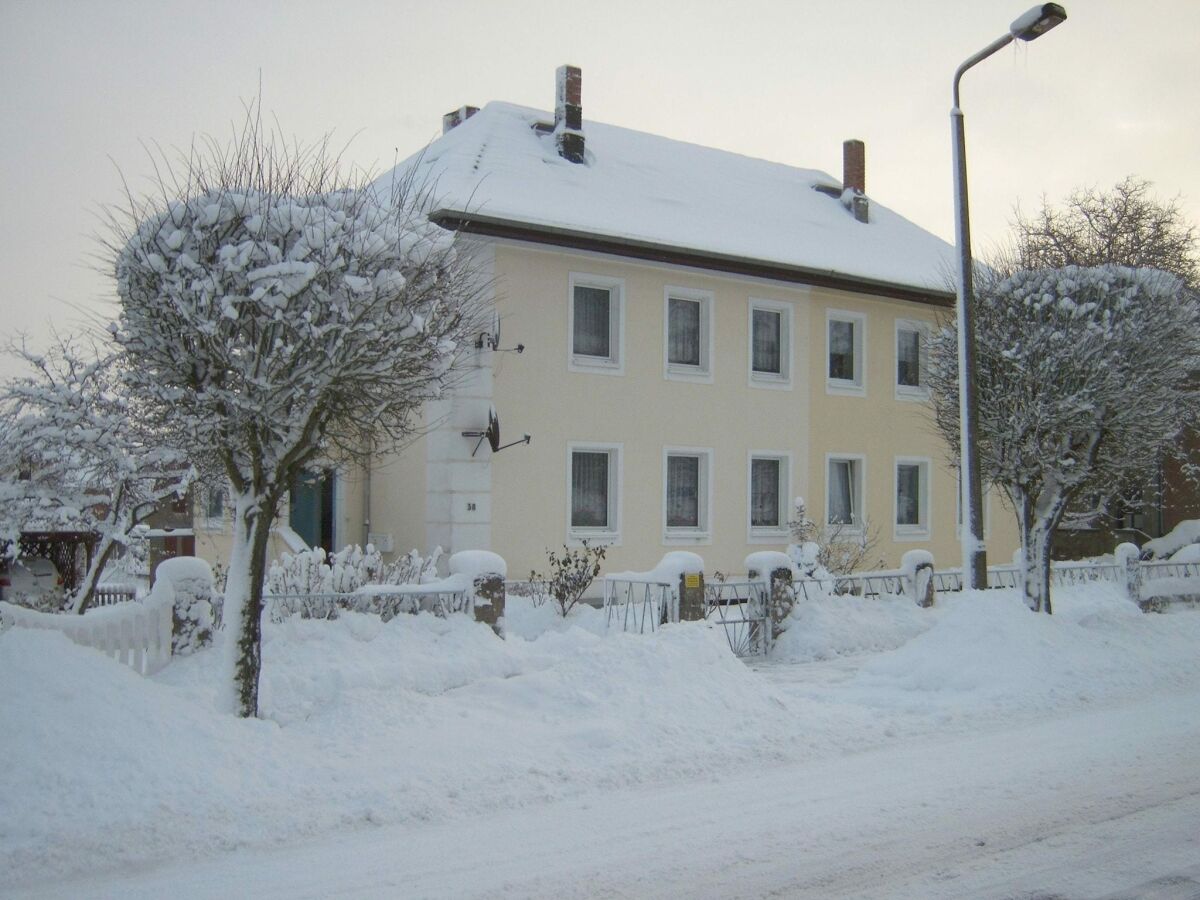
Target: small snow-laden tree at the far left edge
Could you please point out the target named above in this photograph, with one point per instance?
(79, 457)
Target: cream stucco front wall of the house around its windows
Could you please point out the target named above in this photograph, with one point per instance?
(644, 412)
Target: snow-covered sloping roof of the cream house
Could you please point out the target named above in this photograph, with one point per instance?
(641, 189)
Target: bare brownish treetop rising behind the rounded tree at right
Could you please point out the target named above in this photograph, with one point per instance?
(1126, 226)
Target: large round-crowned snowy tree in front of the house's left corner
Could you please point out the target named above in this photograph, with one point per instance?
(278, 314)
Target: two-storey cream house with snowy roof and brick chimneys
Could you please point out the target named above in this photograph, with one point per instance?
(706, 337)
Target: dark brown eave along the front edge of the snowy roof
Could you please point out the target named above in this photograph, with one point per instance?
(537, 233)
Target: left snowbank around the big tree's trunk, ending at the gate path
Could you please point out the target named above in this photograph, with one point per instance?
(365, 723)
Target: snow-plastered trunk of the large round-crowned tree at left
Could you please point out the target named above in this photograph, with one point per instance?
(244, 603)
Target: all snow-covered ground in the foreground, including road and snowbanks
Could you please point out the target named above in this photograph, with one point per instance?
(969, 751)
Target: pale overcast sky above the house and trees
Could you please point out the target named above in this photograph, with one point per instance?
(1113, 92)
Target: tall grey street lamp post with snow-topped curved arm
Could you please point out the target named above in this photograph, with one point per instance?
(1033, 25)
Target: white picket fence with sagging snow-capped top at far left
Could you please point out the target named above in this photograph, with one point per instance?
(135, 634)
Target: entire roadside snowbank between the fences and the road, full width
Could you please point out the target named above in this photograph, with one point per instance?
(425, 719)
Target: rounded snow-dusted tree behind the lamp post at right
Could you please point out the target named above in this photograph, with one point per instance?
(1084, 375)
